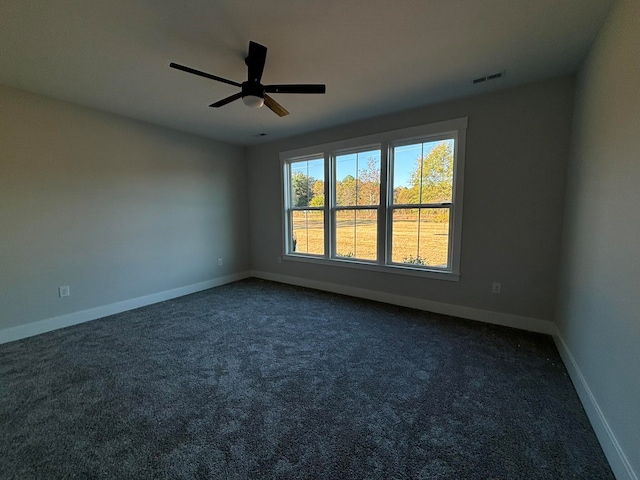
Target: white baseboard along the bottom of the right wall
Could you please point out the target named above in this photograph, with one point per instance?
(618, 460)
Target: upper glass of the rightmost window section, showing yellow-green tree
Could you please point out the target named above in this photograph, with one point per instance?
(423, 172)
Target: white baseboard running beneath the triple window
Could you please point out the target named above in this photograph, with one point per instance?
(505, 319)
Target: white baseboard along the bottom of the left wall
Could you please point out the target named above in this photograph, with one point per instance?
(49, 324)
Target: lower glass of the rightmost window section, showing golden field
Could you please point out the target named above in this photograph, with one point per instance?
(421, 236)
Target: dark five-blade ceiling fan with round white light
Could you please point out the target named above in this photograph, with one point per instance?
(253, 93)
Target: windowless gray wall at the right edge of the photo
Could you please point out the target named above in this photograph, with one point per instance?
(599, 299)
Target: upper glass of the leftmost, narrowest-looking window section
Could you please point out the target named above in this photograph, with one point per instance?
(307, 183)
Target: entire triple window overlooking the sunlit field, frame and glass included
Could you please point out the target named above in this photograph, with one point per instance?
(390, 202)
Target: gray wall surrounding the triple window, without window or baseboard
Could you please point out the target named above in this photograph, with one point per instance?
(517, 150)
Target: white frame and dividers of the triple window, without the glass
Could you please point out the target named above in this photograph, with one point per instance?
(385, 141)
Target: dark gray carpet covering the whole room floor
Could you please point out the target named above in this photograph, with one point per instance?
(260, 380)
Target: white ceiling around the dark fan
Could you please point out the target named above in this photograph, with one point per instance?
(375, 56)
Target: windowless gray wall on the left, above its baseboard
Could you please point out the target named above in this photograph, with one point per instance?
(115, 208)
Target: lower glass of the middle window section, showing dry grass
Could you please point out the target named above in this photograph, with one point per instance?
(357, 234)
